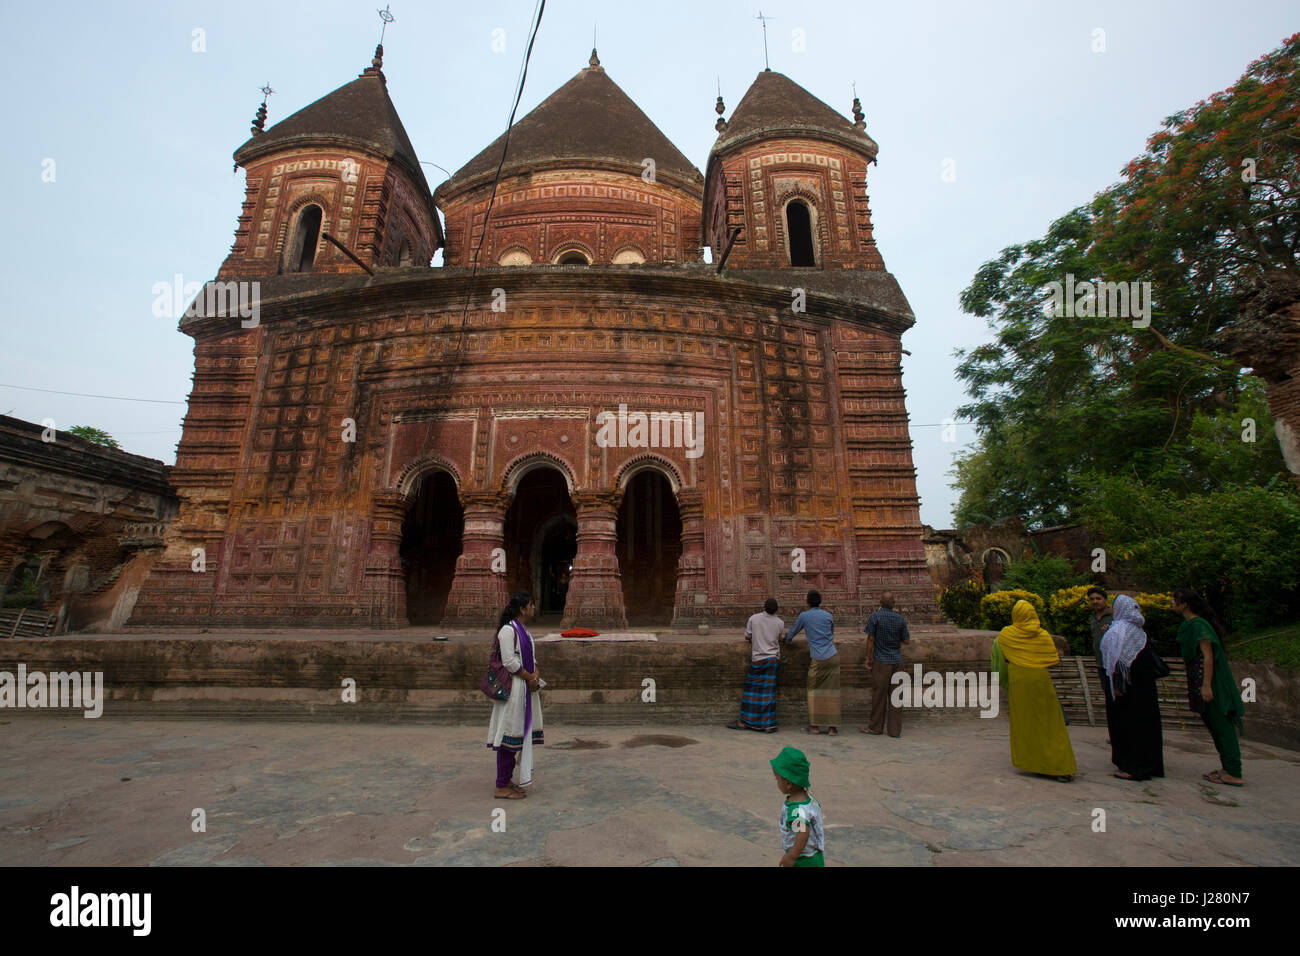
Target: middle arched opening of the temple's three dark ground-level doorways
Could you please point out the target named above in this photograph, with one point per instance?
(541, 540)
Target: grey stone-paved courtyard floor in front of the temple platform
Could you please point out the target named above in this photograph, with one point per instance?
(112, 793)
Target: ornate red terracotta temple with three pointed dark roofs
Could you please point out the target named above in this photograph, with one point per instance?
(575, 403)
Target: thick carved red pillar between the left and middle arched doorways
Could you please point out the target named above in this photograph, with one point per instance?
(479, 590)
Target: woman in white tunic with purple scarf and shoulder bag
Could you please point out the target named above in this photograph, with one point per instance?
(517, 723)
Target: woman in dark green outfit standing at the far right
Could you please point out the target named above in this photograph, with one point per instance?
(1212, 690)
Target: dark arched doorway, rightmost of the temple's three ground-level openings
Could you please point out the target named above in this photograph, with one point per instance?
(649, 548)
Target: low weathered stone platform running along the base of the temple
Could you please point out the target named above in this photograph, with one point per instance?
(408, 676)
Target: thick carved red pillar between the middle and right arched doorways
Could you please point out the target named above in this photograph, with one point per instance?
(596, 590)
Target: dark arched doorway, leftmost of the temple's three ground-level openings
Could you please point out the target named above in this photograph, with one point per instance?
(431, 544)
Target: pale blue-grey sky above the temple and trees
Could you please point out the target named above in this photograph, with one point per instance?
(994, 119)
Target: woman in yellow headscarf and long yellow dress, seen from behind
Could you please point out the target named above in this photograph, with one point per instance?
(1022, 655)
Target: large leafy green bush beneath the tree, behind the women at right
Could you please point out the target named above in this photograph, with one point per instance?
(1237, 546)
